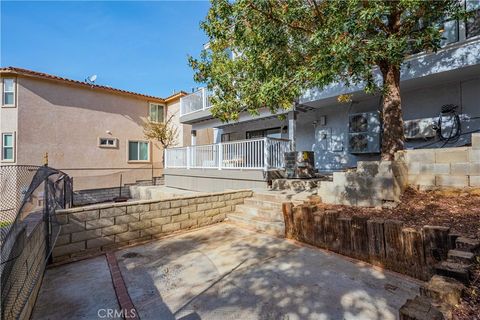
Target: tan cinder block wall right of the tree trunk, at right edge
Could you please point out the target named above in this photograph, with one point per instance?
(445, 167)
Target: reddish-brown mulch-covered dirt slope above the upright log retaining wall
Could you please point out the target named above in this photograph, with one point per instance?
(458, 209)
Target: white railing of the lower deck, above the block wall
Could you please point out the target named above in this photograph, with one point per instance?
(258, 154)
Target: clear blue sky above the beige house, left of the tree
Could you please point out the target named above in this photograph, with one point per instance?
(138, 46)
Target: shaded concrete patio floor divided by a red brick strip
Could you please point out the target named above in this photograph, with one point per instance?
(223, 272)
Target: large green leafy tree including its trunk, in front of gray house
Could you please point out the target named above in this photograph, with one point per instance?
(283, 47)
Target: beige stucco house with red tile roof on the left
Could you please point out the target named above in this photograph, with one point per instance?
(92, 132)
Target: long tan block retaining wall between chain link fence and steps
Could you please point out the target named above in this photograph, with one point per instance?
(93, 229)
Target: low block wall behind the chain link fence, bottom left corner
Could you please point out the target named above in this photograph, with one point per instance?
(26, 276)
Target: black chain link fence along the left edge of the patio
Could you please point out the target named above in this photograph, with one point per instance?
(29, 196)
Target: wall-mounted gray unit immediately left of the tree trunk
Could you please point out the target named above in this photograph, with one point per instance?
(364, 133)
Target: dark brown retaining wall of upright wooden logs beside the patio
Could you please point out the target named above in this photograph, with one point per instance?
(385, 243)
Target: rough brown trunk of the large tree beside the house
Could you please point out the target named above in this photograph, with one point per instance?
(393, 136)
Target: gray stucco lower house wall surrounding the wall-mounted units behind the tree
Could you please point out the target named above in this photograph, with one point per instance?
(422, 102)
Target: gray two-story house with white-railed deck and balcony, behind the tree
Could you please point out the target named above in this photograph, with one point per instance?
(440, 102)
